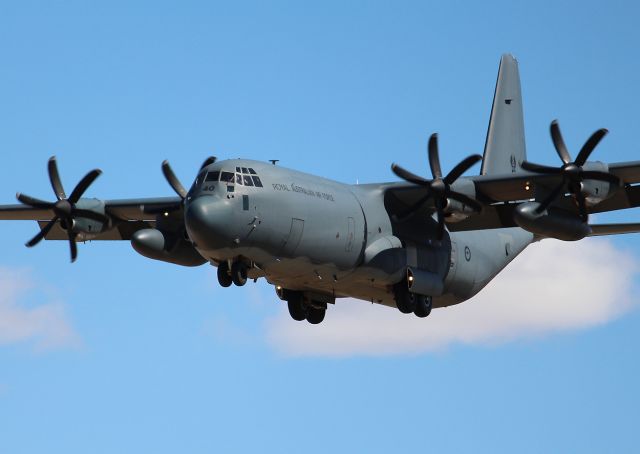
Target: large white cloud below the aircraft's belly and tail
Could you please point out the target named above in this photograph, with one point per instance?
(553, 286)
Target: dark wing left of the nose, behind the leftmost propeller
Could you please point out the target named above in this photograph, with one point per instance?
(126, 215)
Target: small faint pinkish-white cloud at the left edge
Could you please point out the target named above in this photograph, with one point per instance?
(45, 325)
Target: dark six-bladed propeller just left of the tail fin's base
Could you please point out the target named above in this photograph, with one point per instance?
(439, 189)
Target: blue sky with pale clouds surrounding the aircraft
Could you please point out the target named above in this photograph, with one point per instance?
(118, 353)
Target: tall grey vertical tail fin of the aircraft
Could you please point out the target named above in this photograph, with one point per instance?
(504, 149)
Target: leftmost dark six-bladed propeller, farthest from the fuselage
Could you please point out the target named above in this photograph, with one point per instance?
(64, 208)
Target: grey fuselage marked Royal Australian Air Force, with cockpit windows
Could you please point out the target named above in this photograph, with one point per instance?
(308, 233)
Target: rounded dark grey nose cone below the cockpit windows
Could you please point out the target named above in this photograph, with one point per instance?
(204, 220)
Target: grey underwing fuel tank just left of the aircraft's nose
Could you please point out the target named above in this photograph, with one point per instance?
(158, 245)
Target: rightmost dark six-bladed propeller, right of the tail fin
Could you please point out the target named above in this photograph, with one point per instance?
(571, 172)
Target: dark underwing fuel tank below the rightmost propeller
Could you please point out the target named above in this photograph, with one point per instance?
(558, 224)
